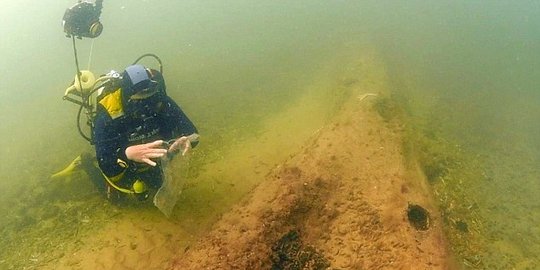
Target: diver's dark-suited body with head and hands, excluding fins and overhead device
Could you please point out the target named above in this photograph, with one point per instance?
(135, 126)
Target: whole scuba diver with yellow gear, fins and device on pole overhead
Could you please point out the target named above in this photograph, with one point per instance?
(135, 126)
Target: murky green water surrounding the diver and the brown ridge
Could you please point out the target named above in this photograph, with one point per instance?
(467, 73)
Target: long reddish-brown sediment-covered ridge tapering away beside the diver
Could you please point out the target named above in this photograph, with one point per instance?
(345, 195)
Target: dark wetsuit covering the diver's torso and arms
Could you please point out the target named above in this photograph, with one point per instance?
(142, 121)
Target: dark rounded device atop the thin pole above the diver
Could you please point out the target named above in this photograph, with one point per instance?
(82, 20)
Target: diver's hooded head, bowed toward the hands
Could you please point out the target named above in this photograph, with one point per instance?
(138, 83)
